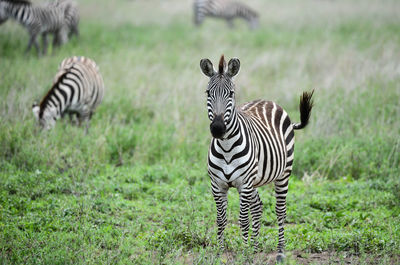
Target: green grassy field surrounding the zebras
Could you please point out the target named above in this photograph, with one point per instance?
(135, 189)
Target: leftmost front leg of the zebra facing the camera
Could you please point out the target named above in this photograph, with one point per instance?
(221, 201)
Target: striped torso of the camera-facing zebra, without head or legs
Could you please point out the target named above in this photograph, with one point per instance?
(262, 134)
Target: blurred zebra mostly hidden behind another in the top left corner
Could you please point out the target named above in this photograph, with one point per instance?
(71, 15)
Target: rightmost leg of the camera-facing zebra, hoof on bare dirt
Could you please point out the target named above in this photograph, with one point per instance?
(281, 188)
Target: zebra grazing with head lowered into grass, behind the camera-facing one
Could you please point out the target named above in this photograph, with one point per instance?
(78, 88)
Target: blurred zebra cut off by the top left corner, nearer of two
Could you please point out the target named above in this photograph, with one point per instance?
(37, 19)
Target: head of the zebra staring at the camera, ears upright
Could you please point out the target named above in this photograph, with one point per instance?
(220, 93)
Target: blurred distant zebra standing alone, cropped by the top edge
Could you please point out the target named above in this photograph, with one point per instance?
(226, 9)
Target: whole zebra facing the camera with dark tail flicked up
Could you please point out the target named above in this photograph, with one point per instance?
(252, 145)
